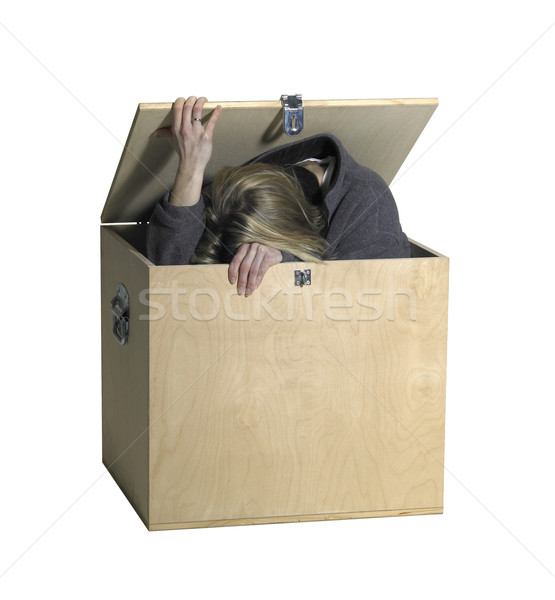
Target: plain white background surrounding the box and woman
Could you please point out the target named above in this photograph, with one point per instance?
(478, 187)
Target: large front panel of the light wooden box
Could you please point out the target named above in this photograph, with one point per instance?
(298, 402)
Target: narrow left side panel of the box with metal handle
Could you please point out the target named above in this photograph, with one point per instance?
(125, 374)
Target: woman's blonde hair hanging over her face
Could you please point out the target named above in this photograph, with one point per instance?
(260, 203)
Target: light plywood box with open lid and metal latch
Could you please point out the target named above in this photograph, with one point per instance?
(299, 403)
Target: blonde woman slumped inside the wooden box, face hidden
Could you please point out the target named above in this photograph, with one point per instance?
(308, 200)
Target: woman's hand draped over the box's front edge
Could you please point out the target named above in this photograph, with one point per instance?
(250, 264)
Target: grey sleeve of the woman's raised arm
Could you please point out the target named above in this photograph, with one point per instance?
(173, 232)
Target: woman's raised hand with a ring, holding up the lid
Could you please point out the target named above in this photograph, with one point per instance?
(193, 143)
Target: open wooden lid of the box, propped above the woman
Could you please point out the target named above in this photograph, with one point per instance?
(378, 134)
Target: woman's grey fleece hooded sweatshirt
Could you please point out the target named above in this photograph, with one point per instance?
(363, 221)
